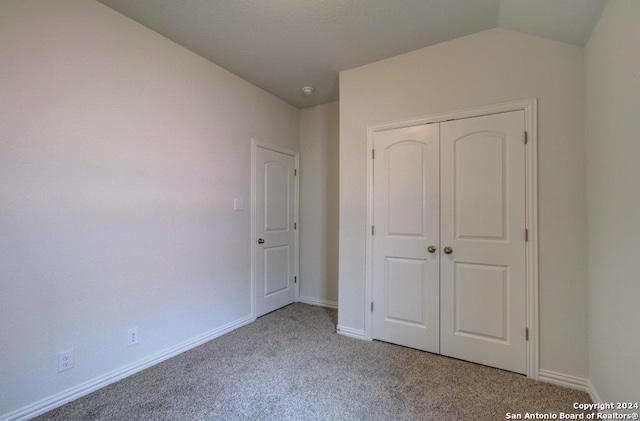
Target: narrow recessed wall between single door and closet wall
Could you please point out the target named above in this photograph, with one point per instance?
(319, 145)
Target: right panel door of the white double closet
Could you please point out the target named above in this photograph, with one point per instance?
(483, 279)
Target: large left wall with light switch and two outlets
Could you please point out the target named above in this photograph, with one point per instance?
(120, 156)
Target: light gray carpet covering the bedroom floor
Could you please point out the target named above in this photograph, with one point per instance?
(291, 365)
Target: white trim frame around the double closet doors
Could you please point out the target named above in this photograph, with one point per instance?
(530, 108)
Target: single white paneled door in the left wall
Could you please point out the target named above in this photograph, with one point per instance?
(274, 230)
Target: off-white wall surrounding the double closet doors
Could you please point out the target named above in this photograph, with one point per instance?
(489, 67)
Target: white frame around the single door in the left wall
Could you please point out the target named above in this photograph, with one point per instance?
(296, 264)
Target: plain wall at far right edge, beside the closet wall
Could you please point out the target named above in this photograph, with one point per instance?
(612, 63)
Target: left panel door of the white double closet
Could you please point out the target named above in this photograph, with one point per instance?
(406, 221)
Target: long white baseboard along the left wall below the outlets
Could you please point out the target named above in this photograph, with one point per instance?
(83, 389)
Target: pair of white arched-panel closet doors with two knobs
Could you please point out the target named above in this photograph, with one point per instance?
(449, 254)
